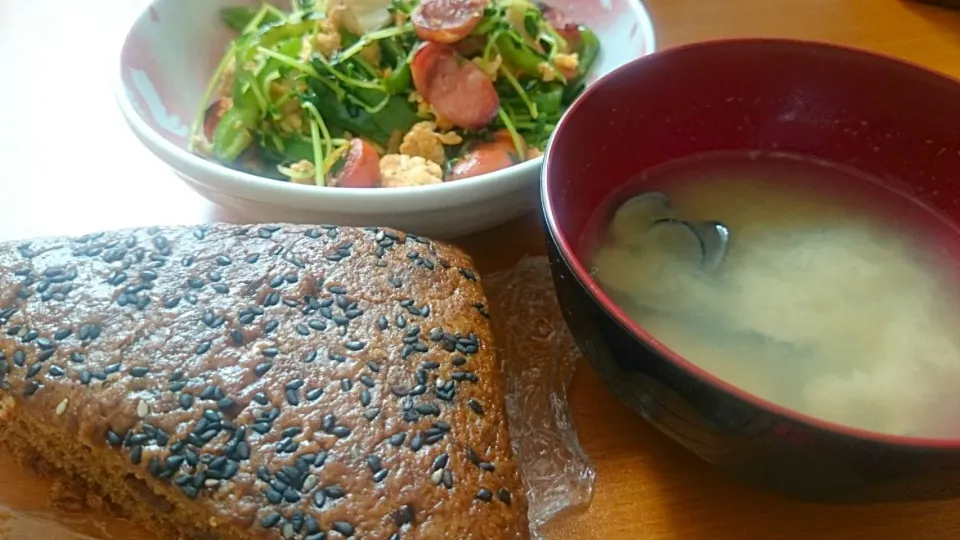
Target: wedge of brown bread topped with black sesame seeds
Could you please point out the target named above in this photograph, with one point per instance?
(270, 381)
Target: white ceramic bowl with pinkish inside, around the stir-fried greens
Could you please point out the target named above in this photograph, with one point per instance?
(173, 48)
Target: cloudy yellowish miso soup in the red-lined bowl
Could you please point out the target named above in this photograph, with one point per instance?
(837, 296)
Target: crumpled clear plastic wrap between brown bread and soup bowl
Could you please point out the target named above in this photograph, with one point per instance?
(539, 357)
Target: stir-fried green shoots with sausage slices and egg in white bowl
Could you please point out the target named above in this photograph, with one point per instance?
(390, 93)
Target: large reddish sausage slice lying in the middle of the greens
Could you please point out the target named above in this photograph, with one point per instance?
(459, 90)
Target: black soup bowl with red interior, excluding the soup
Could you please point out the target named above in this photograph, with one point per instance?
(884, 117)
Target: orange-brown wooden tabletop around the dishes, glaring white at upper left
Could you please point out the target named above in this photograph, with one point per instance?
(69, 165)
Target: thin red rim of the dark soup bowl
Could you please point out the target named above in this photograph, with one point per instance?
(580, 273)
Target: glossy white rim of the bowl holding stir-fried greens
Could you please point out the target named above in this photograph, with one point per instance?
(360, 200)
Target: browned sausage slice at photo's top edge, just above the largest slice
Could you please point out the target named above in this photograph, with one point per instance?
(446, 21)
